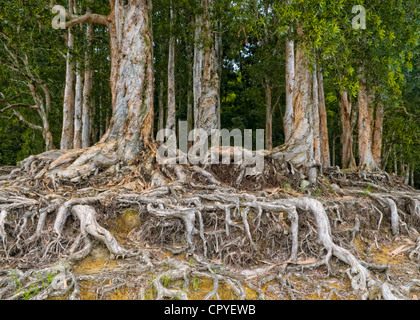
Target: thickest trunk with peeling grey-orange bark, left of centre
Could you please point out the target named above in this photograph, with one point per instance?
(132, 118)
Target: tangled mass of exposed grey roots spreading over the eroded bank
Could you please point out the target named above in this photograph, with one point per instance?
(224, 229)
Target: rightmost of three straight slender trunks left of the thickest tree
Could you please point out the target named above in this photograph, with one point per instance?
(87, 104)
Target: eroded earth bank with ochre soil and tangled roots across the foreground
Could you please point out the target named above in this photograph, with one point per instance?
(115, 236)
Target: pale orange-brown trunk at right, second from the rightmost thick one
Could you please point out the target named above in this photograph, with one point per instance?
(366, 161)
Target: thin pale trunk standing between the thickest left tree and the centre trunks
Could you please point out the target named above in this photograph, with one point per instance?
(171, 119)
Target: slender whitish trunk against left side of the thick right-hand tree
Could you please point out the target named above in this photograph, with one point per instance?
(290, 83)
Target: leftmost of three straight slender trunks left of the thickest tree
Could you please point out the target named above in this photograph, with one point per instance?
(68, 106)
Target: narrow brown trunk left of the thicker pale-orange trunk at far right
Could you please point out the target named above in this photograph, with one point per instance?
(347, 157)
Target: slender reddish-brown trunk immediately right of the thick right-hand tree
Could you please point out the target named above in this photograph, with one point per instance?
(325, 146)
